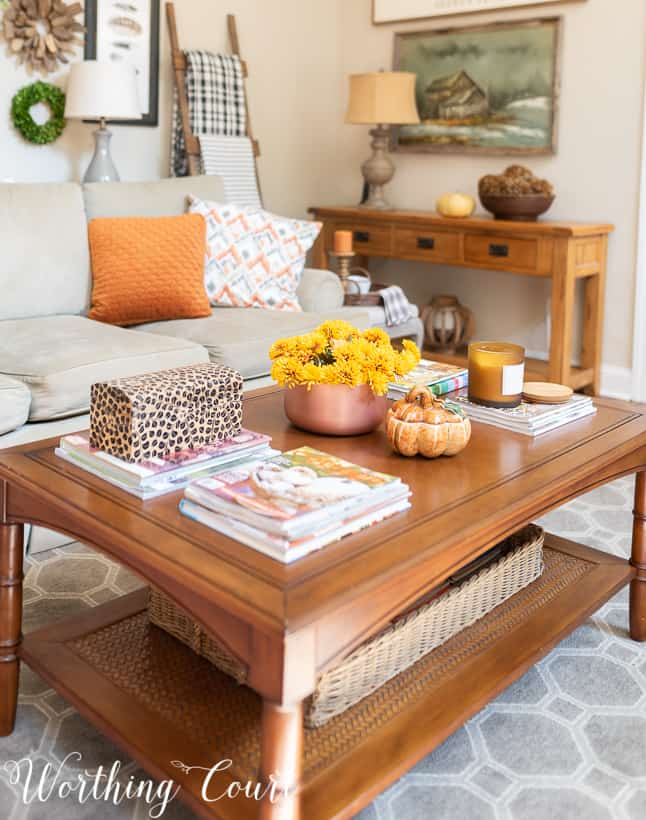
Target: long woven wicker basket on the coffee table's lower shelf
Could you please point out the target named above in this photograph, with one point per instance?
(398, 646)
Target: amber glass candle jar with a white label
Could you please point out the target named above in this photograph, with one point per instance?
(496, 373)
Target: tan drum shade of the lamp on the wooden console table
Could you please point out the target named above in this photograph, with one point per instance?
(382, 98)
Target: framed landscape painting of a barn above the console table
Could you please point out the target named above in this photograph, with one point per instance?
(486, 89)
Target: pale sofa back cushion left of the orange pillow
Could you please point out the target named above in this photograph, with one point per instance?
(45, 268)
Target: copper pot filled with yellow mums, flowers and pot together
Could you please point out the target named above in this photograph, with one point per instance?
(338, 377)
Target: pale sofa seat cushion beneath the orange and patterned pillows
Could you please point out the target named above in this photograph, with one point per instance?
(241, 337)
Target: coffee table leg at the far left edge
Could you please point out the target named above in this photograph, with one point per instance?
(11, 547)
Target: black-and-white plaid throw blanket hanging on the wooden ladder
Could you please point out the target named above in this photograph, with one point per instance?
(215, 91)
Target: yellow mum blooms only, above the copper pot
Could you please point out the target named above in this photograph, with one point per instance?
(338, 353)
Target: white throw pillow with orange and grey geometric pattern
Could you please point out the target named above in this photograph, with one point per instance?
(253, 258)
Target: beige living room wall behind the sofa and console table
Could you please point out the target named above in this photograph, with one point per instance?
(299, 53)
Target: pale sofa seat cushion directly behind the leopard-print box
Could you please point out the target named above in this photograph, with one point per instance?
(59, 357)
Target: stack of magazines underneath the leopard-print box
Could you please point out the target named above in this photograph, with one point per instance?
(157, 476)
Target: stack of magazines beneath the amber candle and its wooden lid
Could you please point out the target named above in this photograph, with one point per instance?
(528, 418)
